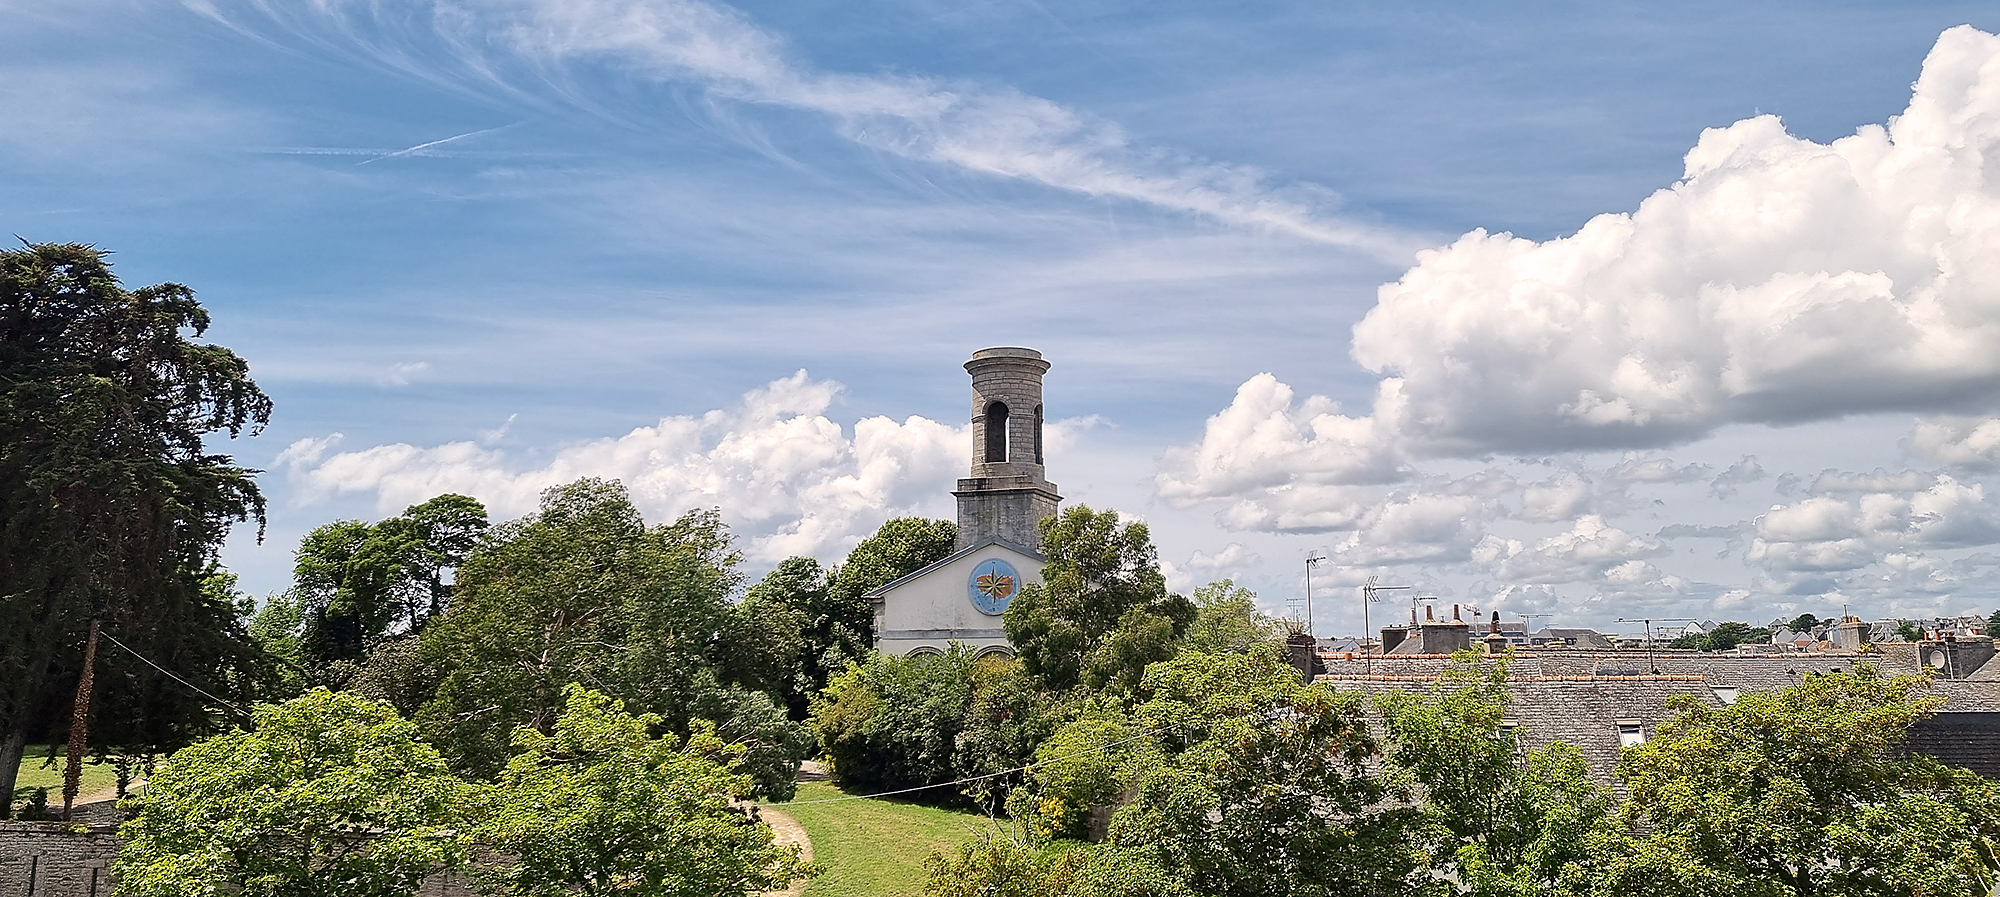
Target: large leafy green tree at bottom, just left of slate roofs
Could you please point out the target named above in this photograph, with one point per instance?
(1265, 786)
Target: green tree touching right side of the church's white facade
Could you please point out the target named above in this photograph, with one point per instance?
(1101, 612)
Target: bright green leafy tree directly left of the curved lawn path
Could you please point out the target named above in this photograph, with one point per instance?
(603, 808)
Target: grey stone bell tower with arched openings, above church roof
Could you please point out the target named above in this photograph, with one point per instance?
(1007, 494)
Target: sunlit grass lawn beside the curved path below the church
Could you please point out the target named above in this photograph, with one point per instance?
(873, 848)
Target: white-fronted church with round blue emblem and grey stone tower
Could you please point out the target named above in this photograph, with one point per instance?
(999, 508)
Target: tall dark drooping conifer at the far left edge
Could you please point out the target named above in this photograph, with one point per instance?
(111, 506)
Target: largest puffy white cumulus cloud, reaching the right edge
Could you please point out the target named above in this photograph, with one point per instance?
(1779, 281)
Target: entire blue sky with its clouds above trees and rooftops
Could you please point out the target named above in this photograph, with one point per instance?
(489, 243)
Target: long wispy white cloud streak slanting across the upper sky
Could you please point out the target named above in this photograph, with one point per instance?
(533, 47)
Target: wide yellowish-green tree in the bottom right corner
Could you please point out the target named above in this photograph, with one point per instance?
(1801, 792)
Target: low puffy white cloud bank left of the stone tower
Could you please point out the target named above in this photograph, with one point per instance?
(787, 476)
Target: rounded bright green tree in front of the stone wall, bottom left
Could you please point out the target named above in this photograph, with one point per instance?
(329, 796)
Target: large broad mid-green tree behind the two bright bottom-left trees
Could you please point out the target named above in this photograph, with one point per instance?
(583, 592)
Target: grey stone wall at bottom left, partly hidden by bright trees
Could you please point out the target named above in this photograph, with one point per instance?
(53, 860)
